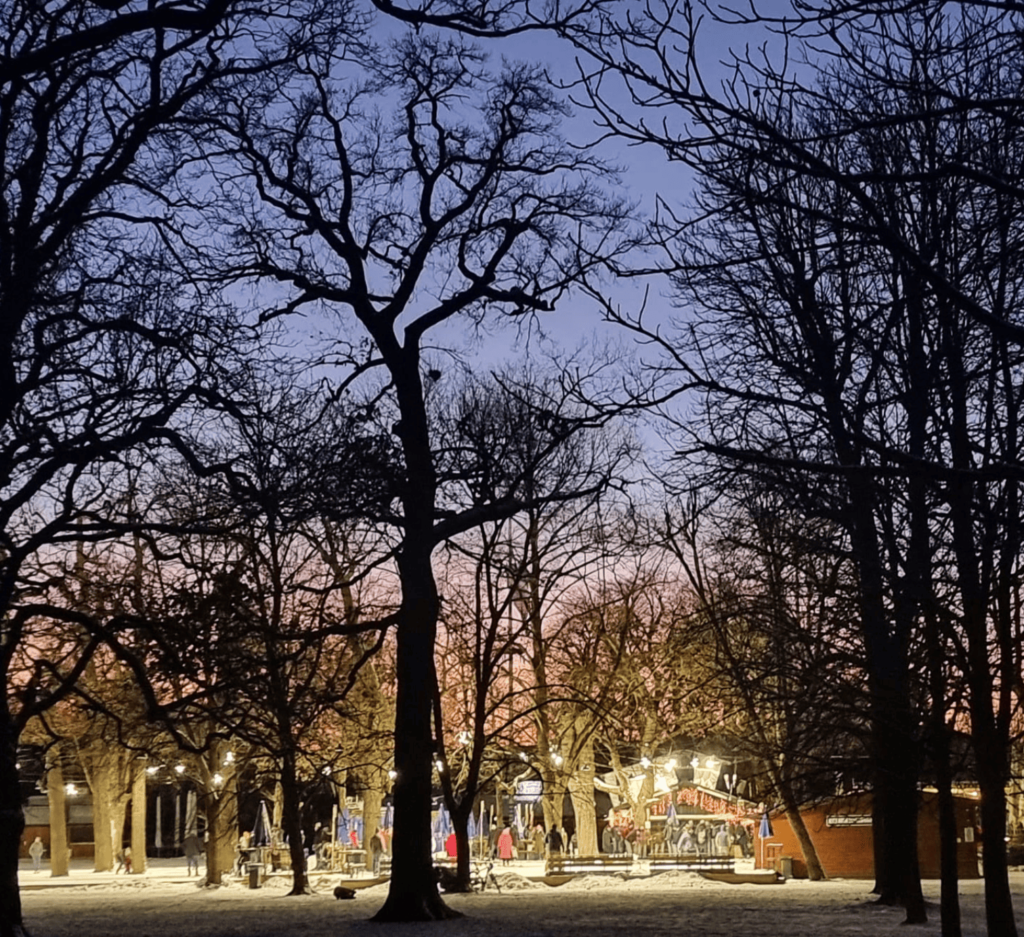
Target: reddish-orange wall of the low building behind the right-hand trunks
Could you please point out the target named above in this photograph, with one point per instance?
(842, 834)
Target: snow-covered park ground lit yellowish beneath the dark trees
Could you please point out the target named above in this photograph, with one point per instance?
(163, 903)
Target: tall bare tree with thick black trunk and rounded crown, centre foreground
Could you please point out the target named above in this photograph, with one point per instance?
(462, 207)
